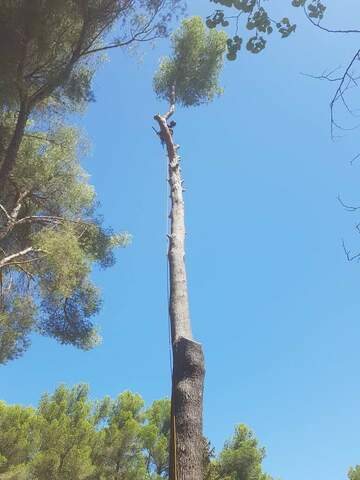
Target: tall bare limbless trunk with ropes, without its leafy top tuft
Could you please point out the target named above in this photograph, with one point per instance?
(186, 446)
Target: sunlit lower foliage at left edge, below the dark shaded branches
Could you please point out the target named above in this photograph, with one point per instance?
(50, 237)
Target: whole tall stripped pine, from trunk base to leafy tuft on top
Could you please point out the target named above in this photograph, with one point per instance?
(189, 78)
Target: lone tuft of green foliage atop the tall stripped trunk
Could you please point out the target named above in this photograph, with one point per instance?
(192, 70)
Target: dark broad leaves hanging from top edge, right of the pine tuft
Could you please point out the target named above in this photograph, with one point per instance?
(258, 20)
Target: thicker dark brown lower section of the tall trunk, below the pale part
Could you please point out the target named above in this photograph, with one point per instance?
(186, 446)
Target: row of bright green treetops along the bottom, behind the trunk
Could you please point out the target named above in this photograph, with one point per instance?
(70, 437)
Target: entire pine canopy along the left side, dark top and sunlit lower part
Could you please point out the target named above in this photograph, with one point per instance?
(50, 235)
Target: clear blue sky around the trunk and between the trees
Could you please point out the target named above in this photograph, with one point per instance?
(273, 300)
